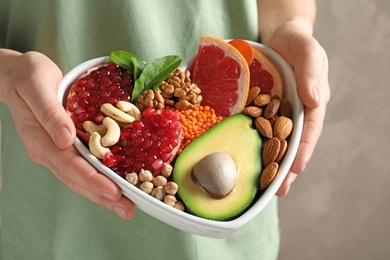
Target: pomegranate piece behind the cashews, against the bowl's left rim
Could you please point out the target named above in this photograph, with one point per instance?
(107, 83)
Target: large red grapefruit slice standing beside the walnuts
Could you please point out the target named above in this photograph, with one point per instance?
(222, 74)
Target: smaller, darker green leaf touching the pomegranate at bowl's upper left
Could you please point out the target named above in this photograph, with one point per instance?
(128, 61)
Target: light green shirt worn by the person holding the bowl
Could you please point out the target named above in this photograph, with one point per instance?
(40, 217)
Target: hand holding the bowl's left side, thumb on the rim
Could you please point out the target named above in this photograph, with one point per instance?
(29, 88)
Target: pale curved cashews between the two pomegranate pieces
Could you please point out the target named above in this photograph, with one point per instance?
(108, 133)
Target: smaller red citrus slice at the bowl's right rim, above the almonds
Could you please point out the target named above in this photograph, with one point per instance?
(264, 74)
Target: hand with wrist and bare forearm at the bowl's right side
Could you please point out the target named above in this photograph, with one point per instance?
(287, 27)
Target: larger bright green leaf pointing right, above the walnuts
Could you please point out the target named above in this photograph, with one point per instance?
(154, 73)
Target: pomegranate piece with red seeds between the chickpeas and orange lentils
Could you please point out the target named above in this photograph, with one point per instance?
(148, 143)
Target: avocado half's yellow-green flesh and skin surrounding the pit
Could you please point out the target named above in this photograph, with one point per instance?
(236, 136)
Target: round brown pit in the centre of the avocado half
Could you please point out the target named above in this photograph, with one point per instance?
(216, 174)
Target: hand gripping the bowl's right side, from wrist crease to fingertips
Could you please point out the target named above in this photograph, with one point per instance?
(310, 65)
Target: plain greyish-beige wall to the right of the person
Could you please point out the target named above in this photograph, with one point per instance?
(339, 207)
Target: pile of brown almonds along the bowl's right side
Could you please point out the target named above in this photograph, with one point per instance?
(272, 117)
